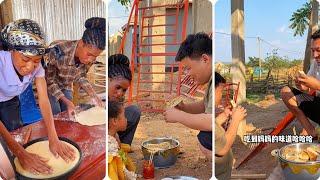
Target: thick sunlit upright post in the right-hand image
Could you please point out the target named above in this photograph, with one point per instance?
(238, 54)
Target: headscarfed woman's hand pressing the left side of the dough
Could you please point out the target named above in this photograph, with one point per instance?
(34, 163)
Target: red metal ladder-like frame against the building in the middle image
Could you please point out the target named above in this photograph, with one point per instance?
(157, 77)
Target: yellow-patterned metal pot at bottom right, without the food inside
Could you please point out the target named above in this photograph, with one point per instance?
(298, 170)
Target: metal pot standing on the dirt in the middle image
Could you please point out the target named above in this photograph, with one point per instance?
(162, 159)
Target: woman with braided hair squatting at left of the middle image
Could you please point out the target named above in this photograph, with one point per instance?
(119, 79)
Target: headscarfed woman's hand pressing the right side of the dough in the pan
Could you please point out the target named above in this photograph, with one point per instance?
(59, 148)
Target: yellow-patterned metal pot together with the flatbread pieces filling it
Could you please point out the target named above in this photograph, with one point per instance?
(299, 160)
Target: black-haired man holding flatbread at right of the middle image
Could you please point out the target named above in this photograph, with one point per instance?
(195, 54)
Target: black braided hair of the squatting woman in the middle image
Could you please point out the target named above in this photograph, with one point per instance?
(118, 66)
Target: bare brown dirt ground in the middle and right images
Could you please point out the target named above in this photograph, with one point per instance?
(191, 162)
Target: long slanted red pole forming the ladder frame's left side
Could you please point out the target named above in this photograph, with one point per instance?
(133, 52)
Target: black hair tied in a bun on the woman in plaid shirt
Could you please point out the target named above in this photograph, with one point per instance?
(95, 33)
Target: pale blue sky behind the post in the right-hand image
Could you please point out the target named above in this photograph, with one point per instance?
(268, 19)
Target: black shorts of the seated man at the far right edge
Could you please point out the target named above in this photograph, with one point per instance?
(308, 104)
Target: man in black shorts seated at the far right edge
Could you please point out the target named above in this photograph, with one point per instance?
(299, 100)
